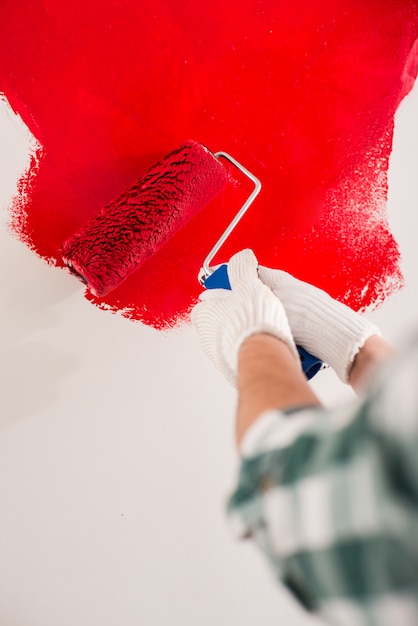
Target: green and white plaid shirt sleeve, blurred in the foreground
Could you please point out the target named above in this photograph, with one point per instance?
(331, 499)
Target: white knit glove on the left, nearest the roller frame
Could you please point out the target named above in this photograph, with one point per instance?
(225, 318)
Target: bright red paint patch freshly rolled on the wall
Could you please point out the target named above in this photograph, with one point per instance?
(302, 93)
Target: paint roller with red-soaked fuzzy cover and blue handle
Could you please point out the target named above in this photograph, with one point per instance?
(124, 234)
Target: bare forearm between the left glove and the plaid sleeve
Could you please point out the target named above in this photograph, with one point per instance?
(268, 377)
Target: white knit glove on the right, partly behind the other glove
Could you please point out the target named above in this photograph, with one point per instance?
(326, 328)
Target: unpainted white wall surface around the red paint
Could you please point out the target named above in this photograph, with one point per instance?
(116, 445)
